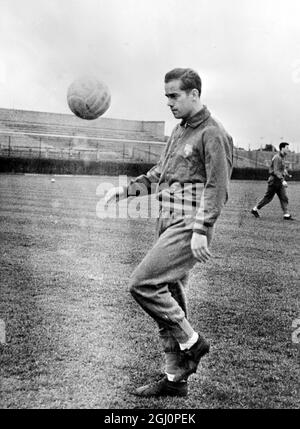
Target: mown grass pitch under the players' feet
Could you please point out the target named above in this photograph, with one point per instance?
(74, 338)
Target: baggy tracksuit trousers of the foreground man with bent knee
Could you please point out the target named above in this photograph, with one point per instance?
(158, 283)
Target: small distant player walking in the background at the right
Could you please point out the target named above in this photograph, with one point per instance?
(277, 183)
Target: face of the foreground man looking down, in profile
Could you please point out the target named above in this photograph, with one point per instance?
(180, 102)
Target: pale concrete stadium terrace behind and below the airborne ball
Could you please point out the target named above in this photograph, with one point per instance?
(24, 133)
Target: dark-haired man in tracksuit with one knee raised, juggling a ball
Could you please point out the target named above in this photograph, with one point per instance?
(192, 178)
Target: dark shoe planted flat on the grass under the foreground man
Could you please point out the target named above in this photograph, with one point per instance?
(164, 387)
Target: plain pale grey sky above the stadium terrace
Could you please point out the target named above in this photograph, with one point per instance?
(247, 53)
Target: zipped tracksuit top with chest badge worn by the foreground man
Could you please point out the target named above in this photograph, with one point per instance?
(193, 173)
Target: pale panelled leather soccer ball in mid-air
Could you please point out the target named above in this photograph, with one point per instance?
(88, 97)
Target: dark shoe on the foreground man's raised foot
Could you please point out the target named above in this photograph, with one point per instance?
(190, 359)
